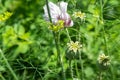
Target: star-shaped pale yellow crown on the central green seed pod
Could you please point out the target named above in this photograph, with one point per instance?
(74, 46)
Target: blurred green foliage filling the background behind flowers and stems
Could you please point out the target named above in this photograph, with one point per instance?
(29, 45)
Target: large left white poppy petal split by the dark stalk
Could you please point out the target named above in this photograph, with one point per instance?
(54, 11)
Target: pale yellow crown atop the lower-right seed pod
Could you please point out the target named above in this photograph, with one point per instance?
(104, 60)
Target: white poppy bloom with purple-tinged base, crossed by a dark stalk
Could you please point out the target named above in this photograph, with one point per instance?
(58, 12)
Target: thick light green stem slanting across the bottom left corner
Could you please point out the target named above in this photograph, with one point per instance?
(8, 65)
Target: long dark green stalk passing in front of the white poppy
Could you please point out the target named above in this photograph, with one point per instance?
(56, 43)
